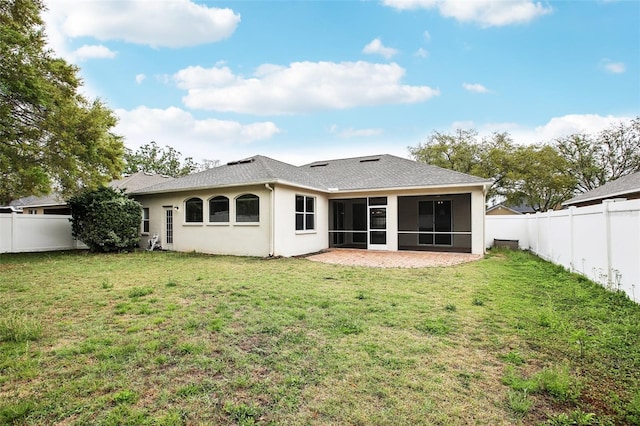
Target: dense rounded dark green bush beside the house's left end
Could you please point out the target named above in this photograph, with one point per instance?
(105, 219)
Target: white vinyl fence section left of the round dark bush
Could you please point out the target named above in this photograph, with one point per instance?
(34, 232)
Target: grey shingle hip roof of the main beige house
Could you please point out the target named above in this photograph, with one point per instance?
(360, 173)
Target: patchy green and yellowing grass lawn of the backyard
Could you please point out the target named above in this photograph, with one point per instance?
(170, 339)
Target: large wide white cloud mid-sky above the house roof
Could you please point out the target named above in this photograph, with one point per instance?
(301, 87)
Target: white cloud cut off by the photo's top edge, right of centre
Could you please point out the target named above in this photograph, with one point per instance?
(487, 13)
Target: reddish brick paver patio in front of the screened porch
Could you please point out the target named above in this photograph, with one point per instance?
(392, 259)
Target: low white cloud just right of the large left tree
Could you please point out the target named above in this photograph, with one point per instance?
(198, 138)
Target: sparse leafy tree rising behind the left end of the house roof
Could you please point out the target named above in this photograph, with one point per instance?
(151, 158)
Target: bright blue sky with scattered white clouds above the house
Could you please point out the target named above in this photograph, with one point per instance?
(301, 81)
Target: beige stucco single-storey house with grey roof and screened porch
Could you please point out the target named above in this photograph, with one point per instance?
(263, 207)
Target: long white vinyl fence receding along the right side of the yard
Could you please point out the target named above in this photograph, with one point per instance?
(601, 242)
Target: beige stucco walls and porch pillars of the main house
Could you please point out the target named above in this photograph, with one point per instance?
(255, 239)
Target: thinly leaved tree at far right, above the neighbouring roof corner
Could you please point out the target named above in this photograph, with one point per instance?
(595, 160)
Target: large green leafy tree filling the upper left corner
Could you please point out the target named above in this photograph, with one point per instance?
(50, 135)
